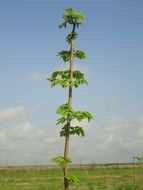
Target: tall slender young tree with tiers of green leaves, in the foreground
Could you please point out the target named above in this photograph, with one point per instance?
(69, 79)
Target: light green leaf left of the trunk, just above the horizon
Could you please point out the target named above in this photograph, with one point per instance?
(61, 161)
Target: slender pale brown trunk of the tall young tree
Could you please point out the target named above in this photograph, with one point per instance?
(66, 148)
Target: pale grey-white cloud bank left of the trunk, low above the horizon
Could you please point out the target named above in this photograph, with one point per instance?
(24, 143)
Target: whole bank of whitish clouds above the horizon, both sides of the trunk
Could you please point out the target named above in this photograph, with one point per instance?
(26, 143)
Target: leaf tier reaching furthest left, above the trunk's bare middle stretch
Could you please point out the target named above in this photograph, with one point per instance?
(62, 78)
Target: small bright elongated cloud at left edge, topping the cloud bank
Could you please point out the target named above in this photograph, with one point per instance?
(10, 113)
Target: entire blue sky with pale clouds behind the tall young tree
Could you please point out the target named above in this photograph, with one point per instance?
(112, 36)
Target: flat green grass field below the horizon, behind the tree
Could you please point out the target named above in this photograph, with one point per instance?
(93, 178)
